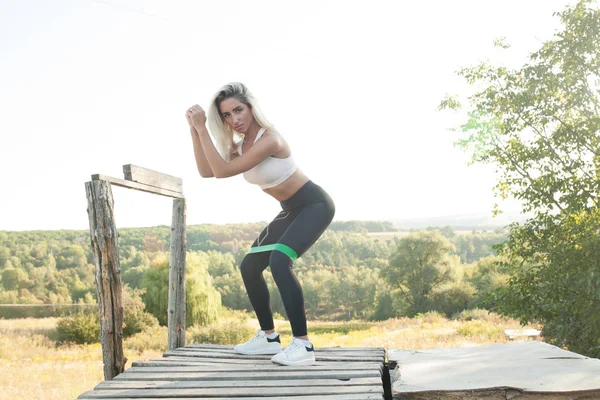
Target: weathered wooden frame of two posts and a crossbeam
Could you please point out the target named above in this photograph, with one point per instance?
(104, 241)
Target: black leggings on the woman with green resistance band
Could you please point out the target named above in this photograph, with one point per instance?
(304, 218)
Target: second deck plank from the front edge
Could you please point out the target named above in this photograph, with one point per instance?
(171, 384)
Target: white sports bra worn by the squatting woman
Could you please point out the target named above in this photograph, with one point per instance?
(271, 171)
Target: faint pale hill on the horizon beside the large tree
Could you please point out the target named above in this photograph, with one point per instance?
(477, 221)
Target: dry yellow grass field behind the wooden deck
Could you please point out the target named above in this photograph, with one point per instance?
(35, 368)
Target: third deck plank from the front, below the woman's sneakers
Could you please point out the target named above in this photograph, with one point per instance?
(282, 374)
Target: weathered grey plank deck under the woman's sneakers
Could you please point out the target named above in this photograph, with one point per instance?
(208, 372)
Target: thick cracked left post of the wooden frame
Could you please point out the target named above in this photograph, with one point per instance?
(103, 234)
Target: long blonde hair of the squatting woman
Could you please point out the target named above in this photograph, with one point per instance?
(226, 137)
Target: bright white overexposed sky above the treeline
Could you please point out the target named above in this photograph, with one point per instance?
(87, 86)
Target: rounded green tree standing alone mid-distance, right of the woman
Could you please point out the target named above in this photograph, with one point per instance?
(420, 263)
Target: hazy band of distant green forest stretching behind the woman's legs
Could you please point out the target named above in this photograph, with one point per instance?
(341, 273)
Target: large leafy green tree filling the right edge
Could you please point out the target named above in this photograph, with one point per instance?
(539, 125)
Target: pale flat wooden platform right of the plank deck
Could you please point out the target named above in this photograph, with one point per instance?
(529, 370)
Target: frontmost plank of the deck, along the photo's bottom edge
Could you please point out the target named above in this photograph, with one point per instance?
(231, 392)
